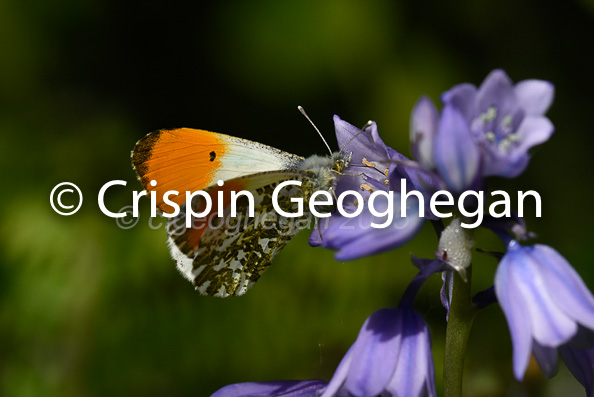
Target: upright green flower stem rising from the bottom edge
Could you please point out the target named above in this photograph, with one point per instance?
(462, 312)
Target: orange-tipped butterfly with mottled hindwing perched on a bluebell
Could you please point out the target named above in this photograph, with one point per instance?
(220, 254)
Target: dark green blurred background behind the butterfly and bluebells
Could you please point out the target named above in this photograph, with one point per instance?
(90, 309)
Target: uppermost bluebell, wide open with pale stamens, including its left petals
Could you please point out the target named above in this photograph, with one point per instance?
(481, 132)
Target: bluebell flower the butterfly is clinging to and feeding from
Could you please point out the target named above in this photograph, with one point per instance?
(374, 167)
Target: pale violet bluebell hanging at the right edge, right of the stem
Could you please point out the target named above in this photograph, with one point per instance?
(544, 301)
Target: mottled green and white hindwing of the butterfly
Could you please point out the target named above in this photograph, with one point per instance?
(226, 255)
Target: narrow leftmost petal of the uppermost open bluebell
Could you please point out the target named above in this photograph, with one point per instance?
(423, 127)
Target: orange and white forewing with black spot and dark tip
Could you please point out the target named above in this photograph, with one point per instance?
(185, 159)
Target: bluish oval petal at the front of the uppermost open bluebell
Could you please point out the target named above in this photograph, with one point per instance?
(457, 157)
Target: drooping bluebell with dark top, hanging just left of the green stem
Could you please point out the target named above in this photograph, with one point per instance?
(391, 356)
